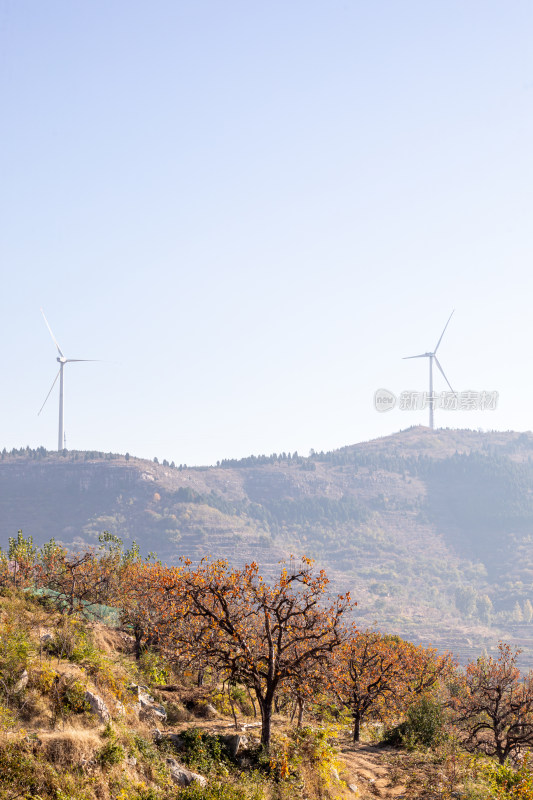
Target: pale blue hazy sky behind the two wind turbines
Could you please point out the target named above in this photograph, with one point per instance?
(251, 211)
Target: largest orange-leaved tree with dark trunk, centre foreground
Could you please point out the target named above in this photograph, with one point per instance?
(259, 635)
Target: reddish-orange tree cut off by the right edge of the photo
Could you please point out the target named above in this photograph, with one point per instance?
(495, 705)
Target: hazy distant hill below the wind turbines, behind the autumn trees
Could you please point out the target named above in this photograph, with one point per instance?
(431, 530)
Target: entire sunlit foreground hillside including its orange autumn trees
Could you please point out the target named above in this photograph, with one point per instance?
(214, 684)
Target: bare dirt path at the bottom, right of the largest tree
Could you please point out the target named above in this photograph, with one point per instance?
(367, 769)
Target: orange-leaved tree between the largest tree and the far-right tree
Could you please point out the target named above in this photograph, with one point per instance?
(382, 674)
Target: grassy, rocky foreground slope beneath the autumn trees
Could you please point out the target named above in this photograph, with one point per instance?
(82, 719)
